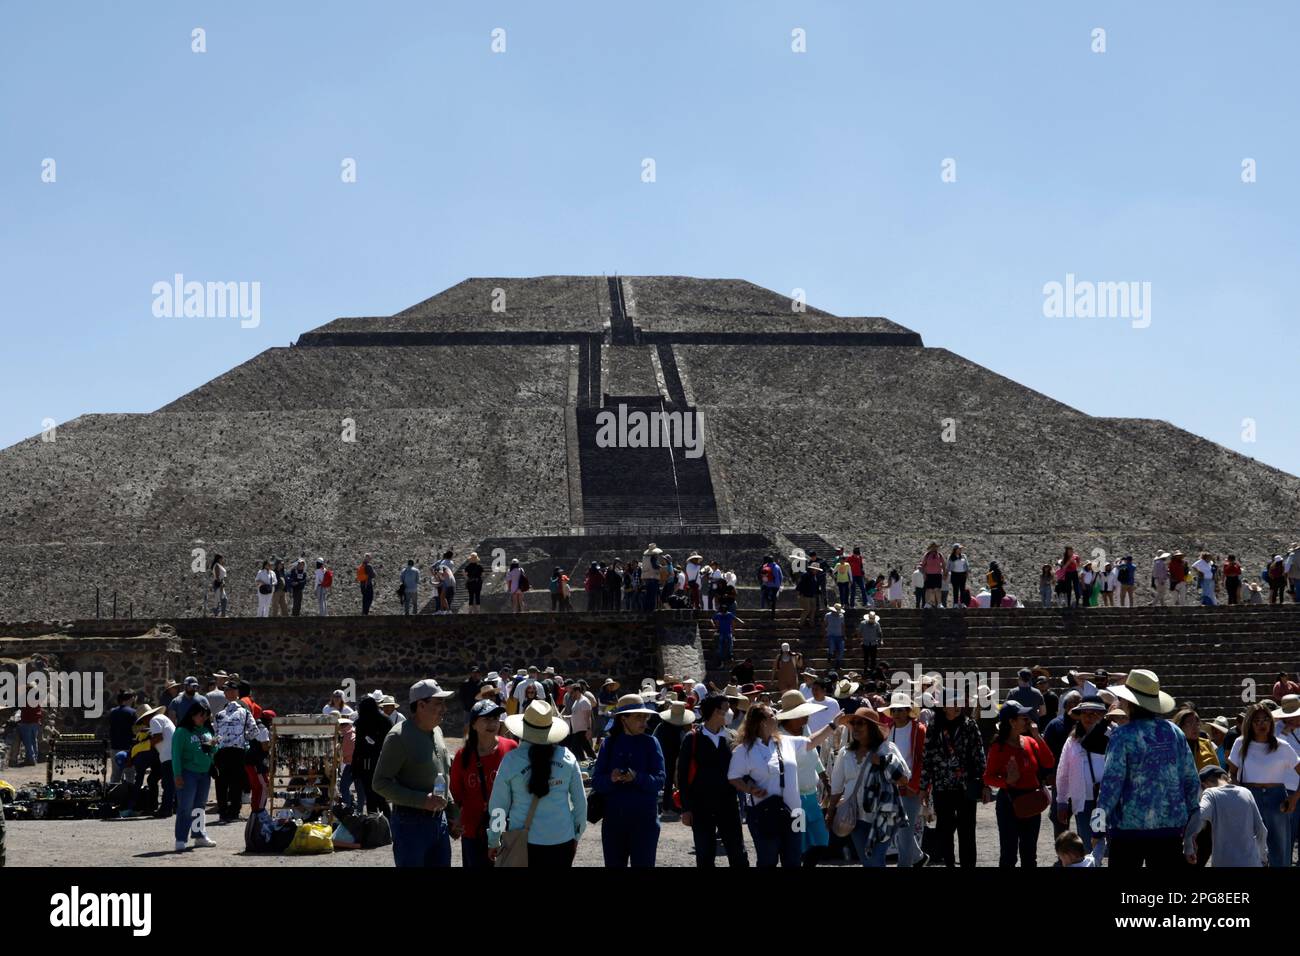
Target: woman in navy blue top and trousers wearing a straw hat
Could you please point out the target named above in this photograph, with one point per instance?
(630, 773)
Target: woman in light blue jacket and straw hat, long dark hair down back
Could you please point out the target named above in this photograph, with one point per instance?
(539, 789)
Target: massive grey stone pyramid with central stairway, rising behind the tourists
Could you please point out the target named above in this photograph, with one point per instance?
(471, 421)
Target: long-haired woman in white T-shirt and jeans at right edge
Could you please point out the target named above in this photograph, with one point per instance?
(1266, 765)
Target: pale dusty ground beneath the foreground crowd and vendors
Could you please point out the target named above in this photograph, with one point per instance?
(150, 843)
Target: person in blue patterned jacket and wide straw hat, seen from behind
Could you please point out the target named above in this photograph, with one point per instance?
(1147, 798)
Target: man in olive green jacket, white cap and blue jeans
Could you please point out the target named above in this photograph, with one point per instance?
(413, 775)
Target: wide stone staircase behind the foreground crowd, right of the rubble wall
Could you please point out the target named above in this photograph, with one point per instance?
(1212, 657)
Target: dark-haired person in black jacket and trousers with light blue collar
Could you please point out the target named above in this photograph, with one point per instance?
(709, 804)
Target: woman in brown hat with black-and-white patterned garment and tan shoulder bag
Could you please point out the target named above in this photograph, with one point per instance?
(868, 772)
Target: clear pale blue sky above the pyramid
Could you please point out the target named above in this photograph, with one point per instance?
(817, 171)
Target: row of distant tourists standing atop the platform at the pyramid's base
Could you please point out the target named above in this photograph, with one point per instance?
(656, 581)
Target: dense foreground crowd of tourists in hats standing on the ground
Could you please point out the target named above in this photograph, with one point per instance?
(801, 771)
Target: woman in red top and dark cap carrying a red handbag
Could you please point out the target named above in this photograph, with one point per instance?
(1016, 760)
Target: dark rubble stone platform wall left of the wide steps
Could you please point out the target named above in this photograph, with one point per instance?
(294, 664)
